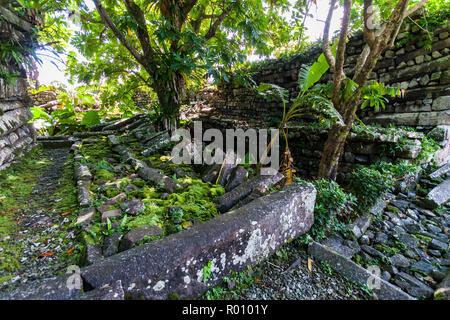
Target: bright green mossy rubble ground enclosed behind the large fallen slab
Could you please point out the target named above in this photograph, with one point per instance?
(173, 213)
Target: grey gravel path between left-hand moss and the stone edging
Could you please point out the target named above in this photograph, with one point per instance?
(42, 234)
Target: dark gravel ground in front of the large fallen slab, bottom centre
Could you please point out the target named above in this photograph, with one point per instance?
(286, 276)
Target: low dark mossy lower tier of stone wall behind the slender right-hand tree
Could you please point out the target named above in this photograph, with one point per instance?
(364, 147)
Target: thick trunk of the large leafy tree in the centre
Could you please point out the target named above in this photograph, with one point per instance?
(170, 95)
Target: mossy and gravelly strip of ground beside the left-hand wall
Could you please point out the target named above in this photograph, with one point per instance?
(38, 203)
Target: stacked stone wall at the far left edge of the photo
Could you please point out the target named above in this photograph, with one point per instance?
(16, 134)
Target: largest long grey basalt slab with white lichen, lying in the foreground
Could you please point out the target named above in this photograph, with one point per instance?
(242, 237)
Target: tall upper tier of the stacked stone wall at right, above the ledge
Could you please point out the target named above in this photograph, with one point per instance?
(423, 73)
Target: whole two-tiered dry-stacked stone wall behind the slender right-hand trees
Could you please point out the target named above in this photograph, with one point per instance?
(423, 73)
